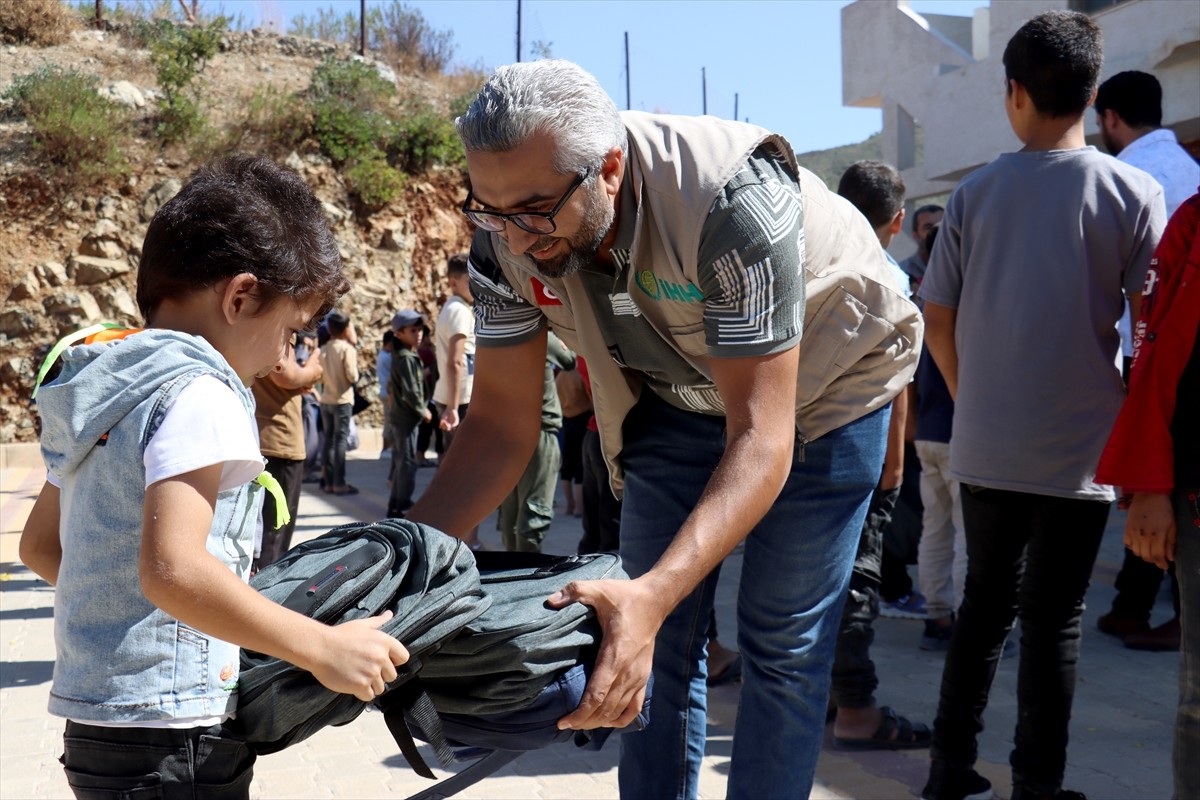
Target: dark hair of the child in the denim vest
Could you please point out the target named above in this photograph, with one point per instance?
(242, 214)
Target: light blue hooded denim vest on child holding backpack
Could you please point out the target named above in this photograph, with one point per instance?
(119, 658)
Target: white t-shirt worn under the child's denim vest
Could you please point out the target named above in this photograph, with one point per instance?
(205, 425)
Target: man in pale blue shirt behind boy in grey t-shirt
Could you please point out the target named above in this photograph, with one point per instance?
(1130, 112)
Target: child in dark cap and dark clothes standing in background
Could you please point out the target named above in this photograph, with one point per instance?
(409, 408)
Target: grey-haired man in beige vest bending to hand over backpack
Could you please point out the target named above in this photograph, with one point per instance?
(743, 340)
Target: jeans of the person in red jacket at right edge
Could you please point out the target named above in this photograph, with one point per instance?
(1187, 569)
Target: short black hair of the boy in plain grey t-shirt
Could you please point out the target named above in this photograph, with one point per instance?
(1057, 57)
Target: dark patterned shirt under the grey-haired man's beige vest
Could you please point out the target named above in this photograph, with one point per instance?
(752, 282)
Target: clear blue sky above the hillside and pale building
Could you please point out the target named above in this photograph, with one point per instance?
(781, 58)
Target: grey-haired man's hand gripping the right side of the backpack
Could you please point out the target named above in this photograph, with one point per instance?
(631, 618)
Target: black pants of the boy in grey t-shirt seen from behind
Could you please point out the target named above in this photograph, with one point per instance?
(1029, 557)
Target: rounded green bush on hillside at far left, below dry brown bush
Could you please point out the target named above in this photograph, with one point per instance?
(76, 131)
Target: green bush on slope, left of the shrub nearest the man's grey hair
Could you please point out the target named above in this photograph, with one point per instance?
(347, 100)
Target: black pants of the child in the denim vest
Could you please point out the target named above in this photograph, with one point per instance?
(188, 765)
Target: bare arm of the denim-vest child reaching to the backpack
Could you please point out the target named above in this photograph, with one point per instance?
(184, 580)
